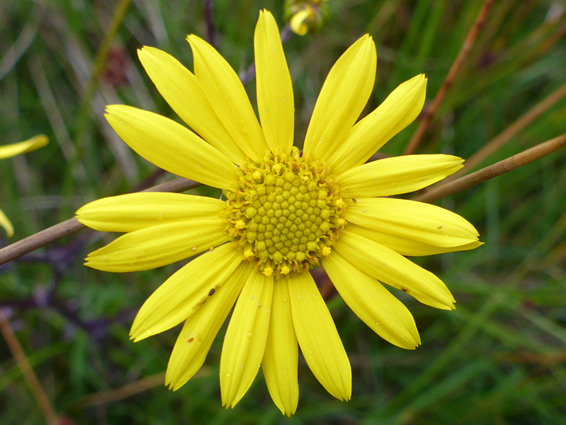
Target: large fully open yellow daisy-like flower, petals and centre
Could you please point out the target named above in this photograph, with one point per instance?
(285, 212)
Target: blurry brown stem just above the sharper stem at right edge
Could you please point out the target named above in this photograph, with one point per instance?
(512, 130)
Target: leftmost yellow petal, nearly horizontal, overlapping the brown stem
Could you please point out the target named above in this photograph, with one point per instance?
(135, 211)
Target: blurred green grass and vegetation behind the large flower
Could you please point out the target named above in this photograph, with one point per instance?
(499, 358)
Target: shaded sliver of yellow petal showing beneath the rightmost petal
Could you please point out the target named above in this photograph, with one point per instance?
(405, 246)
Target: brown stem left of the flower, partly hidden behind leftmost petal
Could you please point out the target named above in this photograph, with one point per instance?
(70, 226)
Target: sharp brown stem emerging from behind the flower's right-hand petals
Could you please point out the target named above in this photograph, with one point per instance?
(487, 173)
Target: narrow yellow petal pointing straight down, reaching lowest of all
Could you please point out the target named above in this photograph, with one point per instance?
(281, 359)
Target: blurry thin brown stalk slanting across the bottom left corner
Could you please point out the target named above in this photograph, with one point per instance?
(27, 371)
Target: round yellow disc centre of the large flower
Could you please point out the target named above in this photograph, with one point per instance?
(285, 212)
